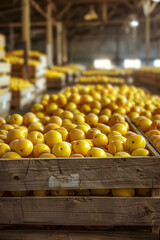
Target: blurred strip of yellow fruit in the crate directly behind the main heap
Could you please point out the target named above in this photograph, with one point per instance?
(99, 79)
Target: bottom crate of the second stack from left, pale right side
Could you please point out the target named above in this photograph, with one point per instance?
(23, 99)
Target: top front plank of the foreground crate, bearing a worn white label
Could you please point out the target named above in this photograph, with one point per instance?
(93, 173)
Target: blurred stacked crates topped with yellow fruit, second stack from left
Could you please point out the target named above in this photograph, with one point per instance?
(25, 97)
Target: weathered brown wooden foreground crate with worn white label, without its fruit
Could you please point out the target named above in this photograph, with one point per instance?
(81, 173)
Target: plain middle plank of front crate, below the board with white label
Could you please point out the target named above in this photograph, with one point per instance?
(93, 211)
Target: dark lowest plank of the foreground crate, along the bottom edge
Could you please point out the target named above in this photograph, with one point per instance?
(71, 235)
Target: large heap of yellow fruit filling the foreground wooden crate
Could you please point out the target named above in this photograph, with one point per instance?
(83, 121)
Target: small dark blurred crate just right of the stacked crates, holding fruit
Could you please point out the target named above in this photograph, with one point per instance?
(56, 82)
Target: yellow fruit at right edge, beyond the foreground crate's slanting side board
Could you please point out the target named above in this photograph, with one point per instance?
(150, 125)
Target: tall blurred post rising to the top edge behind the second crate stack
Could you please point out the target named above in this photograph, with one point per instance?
(49, 35)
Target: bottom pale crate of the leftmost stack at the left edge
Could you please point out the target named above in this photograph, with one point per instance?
(5, 104)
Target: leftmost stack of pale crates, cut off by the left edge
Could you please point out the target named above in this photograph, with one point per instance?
(5, 69)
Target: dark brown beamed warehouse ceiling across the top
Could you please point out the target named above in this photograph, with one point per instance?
(114, 13)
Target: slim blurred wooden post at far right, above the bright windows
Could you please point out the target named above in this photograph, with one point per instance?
(147, 37)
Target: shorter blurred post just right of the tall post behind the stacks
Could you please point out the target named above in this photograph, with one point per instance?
(59, 43)
